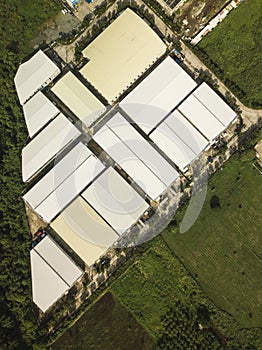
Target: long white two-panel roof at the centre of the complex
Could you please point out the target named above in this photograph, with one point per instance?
(136, 156)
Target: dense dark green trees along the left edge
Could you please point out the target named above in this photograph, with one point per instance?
(19, 21)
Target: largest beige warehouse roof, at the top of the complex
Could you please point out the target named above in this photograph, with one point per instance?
(120, 54)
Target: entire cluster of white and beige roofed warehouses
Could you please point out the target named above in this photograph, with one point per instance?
(92, 185)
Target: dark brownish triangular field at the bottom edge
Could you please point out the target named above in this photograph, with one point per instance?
(106, 326)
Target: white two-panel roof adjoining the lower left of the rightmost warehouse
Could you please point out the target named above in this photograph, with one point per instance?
(179, 140)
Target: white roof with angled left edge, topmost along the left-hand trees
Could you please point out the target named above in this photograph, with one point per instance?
(33, 74)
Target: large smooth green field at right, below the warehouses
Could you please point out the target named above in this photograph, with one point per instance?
(223, 248)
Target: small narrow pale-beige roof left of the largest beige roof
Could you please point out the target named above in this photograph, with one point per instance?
(77, 97)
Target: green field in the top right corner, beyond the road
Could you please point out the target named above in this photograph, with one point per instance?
(235, 47)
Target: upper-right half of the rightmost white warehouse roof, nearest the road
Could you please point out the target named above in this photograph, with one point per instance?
(214, 103)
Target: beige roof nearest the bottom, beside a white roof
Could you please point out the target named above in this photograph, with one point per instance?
(84, 231)
